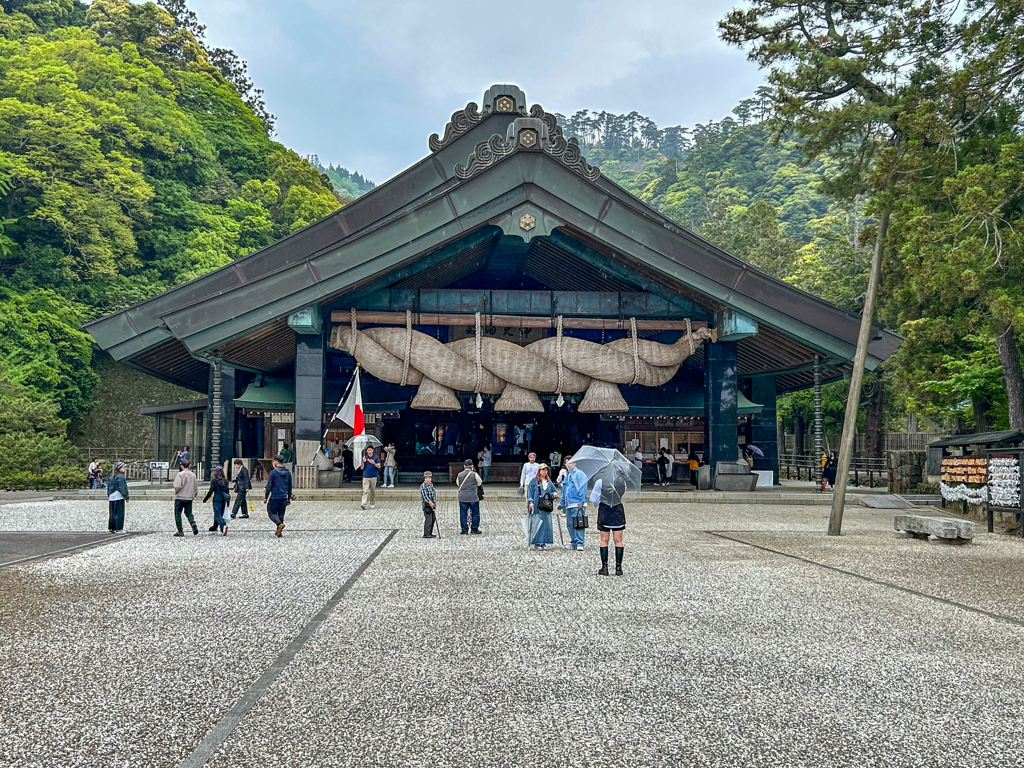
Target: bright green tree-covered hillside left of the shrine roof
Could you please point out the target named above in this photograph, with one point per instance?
(133, 159)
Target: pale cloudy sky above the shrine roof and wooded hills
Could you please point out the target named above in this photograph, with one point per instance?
(364, 84)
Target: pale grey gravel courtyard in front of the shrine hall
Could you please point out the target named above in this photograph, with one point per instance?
(740, 636)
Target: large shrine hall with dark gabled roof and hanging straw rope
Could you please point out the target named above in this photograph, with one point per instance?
(500, 295)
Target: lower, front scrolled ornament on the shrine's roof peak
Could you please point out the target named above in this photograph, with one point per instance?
(540, 133)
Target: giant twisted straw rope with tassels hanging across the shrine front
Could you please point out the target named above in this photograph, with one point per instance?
(486, 366)
